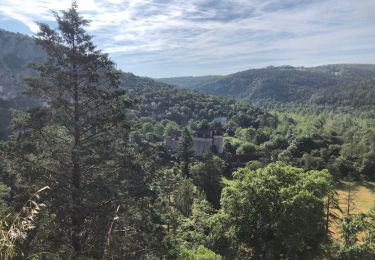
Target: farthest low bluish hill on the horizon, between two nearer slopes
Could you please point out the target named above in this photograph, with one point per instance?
(190, 82)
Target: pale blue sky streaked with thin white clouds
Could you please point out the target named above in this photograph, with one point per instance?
(161, 38)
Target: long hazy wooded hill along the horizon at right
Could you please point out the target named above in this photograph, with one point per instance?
(293, 84)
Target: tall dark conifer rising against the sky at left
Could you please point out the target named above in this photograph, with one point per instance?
(74, 144)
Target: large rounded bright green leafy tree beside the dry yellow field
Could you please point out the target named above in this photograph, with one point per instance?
(276, 211)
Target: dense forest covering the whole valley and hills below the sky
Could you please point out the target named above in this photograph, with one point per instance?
(85, 172)
